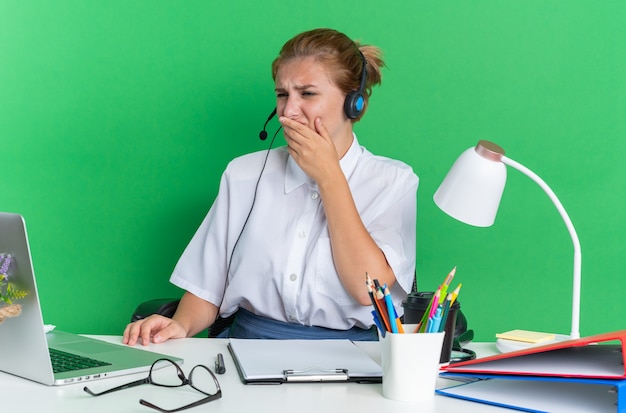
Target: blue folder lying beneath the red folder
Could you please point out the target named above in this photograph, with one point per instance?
(541, 394)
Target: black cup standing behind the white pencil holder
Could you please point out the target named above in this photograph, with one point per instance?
(415, 305)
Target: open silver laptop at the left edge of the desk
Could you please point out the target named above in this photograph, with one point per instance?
(27, 351)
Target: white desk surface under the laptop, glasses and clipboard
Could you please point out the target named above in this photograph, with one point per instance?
(22, 395)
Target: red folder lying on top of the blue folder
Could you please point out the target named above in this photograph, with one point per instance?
(595, 357)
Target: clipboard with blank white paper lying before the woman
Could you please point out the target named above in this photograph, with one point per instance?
(261, 361)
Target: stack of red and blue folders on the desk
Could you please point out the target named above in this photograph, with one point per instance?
(578, 375)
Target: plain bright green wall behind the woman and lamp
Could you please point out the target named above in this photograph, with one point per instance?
(118, 117)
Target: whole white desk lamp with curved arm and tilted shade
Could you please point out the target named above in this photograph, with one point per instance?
(471, 193)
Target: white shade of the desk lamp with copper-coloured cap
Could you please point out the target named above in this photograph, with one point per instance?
(472, 189)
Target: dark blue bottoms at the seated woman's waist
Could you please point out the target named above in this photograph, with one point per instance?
(249, 325)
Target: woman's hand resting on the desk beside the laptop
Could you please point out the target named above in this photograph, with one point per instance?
(155, 328)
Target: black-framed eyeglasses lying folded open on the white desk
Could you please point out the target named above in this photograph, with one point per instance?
(161, 374)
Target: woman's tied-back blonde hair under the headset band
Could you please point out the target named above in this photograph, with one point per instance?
(340, 55)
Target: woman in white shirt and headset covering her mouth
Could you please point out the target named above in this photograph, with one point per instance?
(293, 230)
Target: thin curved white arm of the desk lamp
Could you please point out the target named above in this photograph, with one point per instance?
(575, 333)
